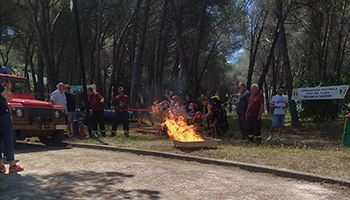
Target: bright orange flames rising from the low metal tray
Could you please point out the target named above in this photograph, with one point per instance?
(179, 130)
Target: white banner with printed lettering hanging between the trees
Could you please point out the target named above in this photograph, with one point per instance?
(319, 93)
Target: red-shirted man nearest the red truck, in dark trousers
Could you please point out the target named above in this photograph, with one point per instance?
(96, 102)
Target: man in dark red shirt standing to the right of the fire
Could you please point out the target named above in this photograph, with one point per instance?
(253, 114)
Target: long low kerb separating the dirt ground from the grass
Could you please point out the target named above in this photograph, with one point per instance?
(247, 166)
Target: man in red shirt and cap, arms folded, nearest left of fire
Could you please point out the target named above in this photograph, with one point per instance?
(121, 104)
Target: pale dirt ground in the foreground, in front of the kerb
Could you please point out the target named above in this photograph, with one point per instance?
(65, 173)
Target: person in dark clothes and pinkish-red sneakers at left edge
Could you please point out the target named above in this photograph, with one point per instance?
(6, 130)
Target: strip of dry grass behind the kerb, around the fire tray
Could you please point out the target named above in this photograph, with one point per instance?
(312, 153)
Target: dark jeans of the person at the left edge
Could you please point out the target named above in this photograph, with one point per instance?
(6, 136)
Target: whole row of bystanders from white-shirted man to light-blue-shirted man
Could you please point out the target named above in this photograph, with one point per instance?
(249, 107)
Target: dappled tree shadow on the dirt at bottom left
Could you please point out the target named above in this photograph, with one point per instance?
(71, 185)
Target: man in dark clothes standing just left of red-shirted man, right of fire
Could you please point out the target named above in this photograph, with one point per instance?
(241, 108)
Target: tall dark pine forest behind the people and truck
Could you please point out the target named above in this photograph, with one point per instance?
(184, 46)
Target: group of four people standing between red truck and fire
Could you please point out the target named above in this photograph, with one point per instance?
(95, 119)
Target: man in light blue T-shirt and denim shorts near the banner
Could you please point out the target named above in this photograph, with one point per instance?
(280, 103)
